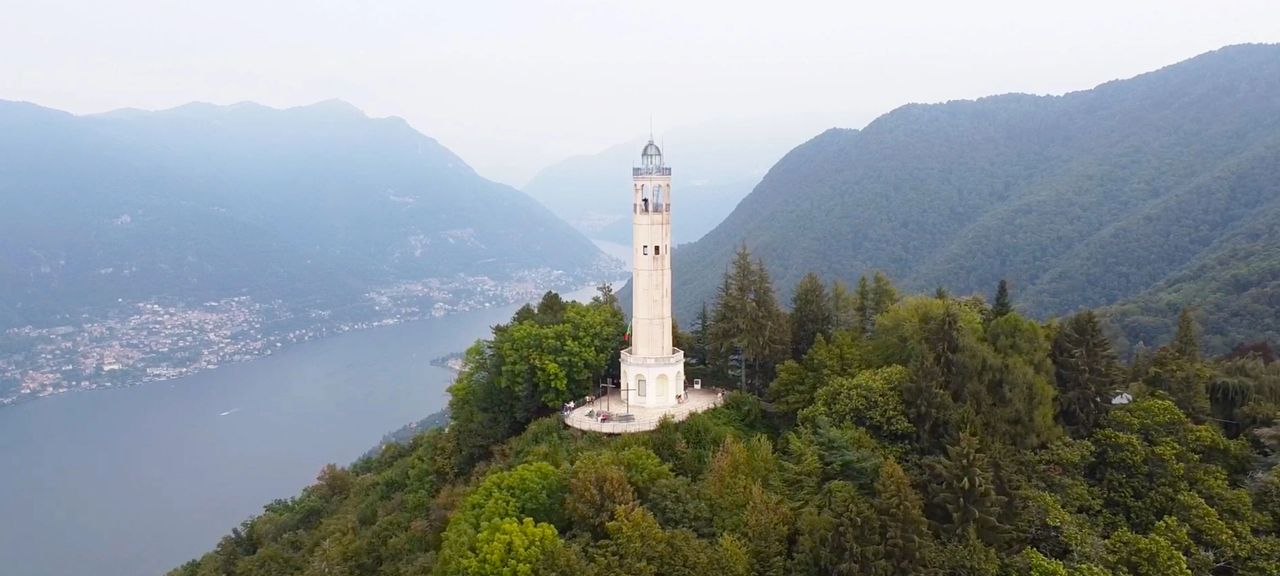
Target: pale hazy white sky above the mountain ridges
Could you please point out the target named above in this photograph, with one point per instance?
(513, 86)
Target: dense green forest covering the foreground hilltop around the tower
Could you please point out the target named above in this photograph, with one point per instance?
(867, 433)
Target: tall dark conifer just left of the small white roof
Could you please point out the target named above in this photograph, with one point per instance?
(1086, 371)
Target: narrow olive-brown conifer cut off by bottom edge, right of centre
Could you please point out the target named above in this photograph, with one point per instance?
(902, 518)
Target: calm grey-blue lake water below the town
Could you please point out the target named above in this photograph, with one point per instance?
(138, 481)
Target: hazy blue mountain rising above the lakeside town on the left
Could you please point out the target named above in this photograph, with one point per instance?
(313, 204)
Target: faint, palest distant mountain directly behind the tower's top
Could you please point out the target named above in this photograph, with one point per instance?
(716, 166)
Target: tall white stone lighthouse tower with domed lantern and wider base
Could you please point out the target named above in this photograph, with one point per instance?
(653, 372)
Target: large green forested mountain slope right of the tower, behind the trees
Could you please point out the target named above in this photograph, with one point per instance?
(1164, 189)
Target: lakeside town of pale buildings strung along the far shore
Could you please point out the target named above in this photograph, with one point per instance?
(154, 341)
